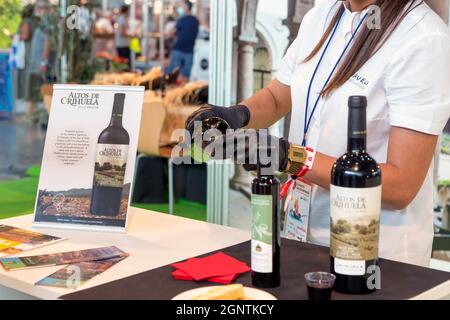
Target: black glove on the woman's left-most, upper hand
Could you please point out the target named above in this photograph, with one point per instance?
(236, 116)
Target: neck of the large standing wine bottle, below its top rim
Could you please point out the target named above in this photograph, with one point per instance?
(357, 130)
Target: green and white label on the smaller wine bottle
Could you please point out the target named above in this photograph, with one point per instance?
(262, 251)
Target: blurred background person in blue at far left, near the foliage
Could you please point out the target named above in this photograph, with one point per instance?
(40, 54)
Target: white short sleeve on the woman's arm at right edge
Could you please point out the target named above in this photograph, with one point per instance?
(417, 85)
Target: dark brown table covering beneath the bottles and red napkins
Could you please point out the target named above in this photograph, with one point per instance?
(399, 281)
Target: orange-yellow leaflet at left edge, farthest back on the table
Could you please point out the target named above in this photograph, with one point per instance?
(16, 240)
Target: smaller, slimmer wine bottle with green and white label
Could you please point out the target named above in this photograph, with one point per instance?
(265, 243)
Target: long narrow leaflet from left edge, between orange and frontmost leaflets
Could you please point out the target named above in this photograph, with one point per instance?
(54, 259)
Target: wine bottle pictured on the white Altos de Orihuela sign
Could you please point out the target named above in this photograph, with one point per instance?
(110, 164)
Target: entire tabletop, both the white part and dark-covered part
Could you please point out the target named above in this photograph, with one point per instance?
(155, 240)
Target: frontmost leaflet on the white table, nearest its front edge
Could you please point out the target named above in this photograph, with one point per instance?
(75, 275)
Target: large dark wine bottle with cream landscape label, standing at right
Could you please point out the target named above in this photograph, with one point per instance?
(355, 200)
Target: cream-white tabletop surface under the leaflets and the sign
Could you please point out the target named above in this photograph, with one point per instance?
(152, 240)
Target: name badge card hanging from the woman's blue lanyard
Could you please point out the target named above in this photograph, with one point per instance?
(297, 207)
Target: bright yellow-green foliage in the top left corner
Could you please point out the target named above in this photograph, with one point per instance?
(9, 20)
